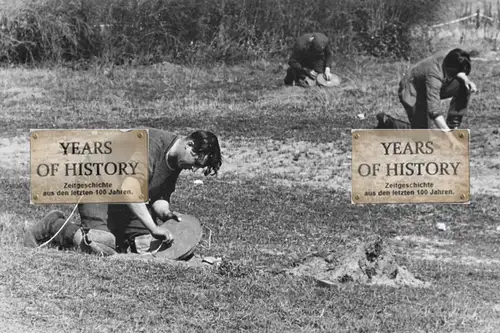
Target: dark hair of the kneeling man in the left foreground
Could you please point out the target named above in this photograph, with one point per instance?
(206, 143)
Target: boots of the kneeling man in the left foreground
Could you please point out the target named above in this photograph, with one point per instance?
(47, 228)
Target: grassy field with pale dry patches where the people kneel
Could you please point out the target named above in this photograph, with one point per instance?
(283, 194)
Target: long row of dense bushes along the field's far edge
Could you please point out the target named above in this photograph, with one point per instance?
(199, 31)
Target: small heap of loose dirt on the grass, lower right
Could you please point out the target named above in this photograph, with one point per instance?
(371, 262)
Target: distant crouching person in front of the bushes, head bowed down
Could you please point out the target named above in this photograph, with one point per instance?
(311, 62)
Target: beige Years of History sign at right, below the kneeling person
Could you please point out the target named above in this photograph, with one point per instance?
(410, 166)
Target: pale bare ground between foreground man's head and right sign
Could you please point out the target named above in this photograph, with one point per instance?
(288, 162)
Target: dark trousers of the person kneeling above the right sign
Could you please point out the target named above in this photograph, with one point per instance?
(417, 114)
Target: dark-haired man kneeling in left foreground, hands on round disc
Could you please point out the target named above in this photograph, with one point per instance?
(109, 229)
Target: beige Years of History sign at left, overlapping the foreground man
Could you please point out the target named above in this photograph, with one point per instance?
(89, 166)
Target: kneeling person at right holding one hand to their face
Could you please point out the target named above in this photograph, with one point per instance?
(440, 76)
